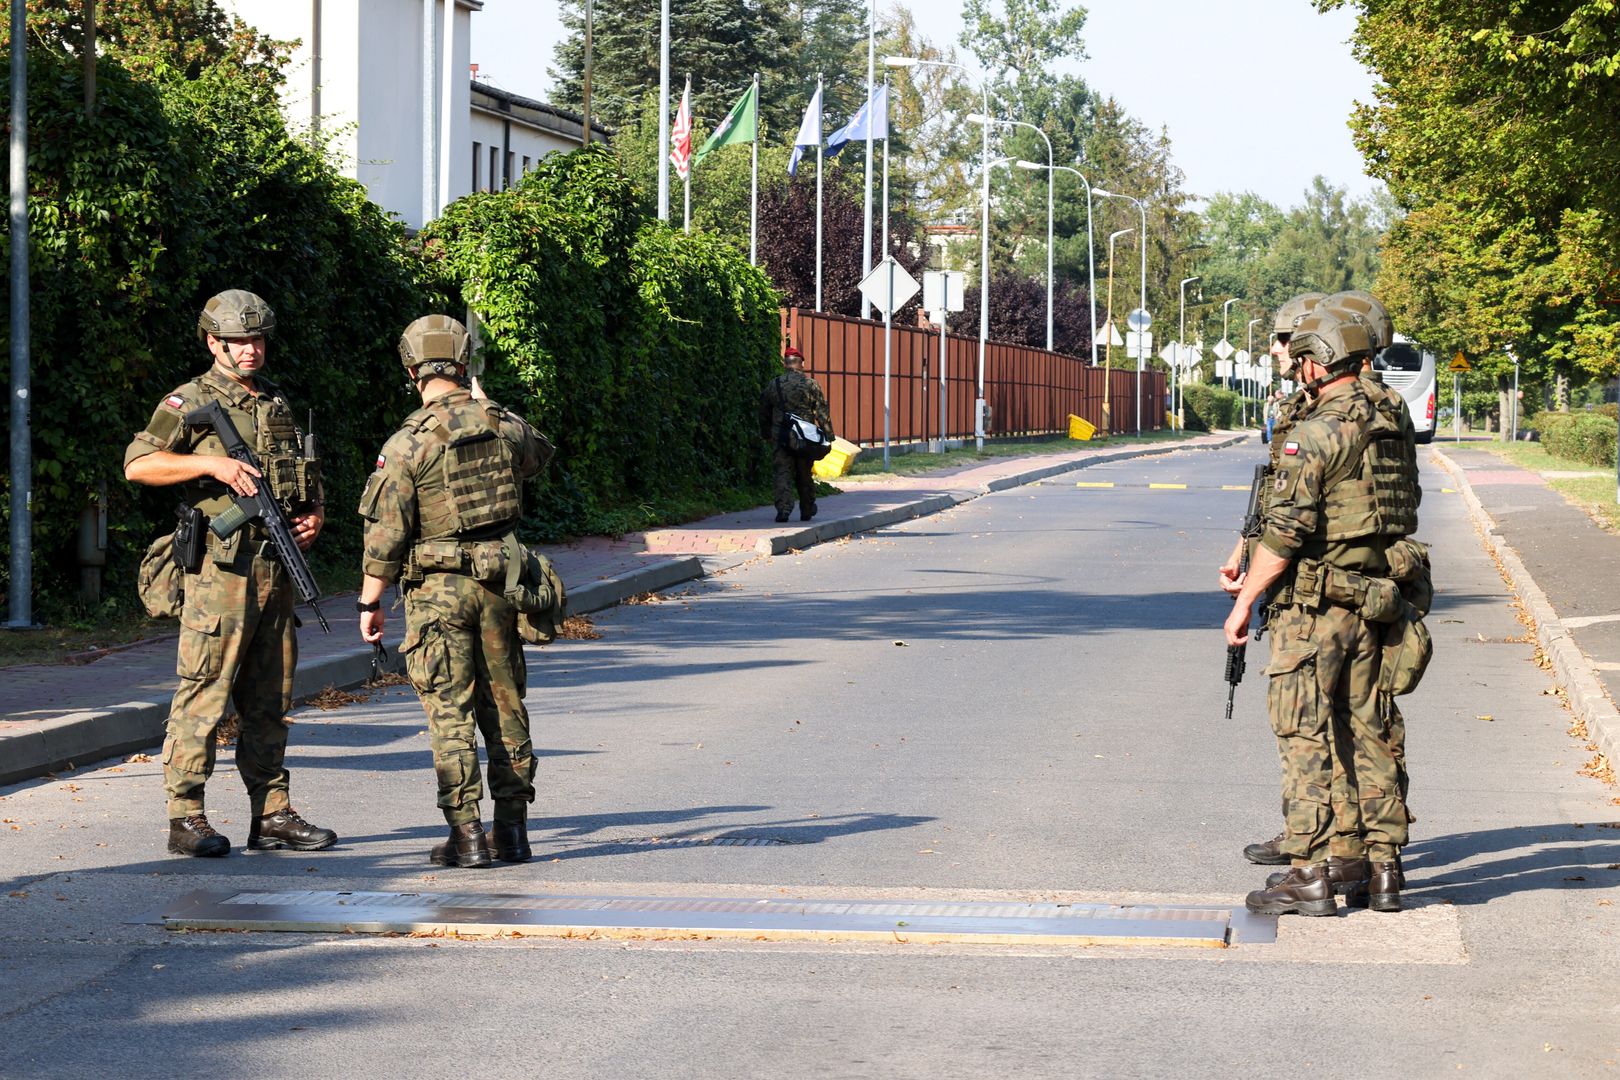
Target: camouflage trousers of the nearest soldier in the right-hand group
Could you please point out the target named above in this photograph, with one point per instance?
(1329, 716)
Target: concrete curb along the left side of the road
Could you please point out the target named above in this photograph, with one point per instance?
(92, 736)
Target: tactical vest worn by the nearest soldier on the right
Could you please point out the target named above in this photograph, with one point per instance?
(1376, 491)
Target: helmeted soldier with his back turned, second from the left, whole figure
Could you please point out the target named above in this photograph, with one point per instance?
(441, 511)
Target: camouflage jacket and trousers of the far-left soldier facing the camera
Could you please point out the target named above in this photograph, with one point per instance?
(237, 632)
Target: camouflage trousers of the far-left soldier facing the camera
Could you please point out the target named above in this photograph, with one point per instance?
(239, 645)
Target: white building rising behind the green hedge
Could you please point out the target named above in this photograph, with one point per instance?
(390, 82)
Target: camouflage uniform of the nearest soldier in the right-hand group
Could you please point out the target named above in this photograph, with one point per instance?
(1339, 500)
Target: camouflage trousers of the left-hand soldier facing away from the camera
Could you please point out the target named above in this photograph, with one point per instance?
(466, 661)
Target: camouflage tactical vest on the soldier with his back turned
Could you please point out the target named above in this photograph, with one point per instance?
(469, 488)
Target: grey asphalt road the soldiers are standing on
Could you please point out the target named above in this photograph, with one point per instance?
(1018, 699)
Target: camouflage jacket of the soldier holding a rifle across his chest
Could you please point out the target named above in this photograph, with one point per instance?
(262, 417)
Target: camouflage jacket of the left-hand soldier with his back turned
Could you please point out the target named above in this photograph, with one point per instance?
(454, 469)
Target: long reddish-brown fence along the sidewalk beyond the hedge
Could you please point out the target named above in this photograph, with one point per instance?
(1030, 391)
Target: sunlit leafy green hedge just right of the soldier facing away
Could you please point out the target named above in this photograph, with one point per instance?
(639, 351)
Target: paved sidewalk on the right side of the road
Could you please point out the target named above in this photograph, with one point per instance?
(1567, 571)
